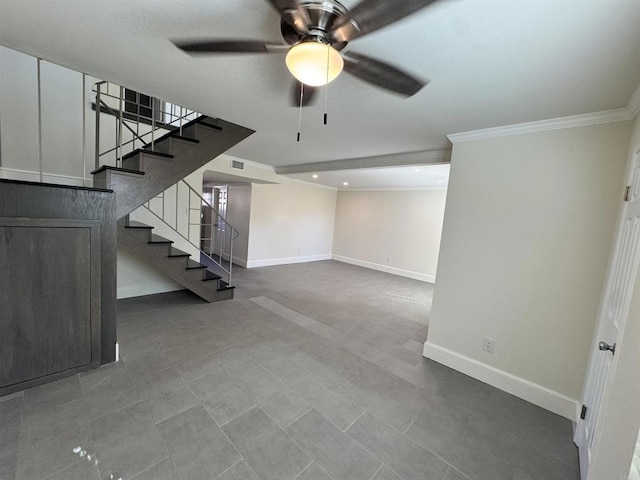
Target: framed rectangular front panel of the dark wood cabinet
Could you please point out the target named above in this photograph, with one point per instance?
(49, 297)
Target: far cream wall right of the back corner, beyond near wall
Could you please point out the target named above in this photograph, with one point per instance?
(395, 231)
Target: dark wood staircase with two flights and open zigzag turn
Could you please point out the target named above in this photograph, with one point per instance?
(146, 172)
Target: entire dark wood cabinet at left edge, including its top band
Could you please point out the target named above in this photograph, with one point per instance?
(57, 282)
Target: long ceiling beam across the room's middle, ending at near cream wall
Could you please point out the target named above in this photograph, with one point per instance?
(396, 160)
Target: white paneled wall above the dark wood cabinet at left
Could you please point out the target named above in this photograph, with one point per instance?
(62, 113)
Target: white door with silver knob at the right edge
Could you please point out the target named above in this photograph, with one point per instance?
(613, 314)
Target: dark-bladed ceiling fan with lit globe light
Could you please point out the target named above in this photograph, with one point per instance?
(315, 32)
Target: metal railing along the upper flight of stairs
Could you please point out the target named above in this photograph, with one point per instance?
(175, 120)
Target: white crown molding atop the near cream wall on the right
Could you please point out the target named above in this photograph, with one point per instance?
(606, 116)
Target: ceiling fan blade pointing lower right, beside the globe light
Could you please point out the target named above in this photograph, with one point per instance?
(382, 74)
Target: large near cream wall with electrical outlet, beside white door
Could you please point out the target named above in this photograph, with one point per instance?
(527, 236)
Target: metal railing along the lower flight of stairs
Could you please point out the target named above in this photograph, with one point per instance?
(220, 262)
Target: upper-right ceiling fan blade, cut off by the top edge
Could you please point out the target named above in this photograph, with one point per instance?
(371, 15)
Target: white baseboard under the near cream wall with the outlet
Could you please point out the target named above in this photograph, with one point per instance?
(529, 391)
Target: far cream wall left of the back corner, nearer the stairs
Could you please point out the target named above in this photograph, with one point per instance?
(290, 223)
